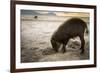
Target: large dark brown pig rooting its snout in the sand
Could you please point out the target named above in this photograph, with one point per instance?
(69, 29)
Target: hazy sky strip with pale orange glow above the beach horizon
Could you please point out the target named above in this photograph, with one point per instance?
(34, 12)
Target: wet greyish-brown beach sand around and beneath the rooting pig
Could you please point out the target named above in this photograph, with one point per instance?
(36, 46)
